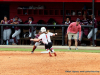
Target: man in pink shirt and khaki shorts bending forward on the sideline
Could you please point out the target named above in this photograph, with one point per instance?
(72, 31)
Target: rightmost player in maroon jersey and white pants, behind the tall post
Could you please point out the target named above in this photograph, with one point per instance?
(91, 32)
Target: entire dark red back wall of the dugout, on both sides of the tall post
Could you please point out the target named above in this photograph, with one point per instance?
(59, 19)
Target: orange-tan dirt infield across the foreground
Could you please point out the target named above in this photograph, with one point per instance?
(25, 63)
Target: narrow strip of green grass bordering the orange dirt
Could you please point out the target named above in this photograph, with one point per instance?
(63, 50)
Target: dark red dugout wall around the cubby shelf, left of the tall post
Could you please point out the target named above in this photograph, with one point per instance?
(13, 11)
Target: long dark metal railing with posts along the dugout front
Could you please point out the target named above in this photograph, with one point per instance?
(40, 25)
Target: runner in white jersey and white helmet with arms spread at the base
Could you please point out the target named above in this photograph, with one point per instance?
(45, 39)
